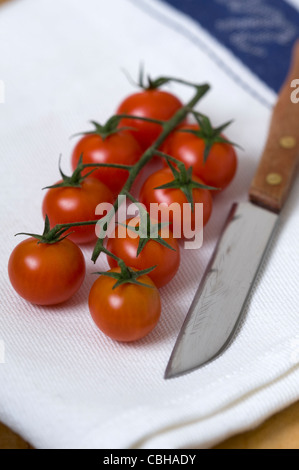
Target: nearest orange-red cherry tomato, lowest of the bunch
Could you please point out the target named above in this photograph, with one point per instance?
(126, 313)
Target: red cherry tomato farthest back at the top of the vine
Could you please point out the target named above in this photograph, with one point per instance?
(154, 104)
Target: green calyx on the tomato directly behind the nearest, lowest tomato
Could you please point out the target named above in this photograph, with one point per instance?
(147, 229)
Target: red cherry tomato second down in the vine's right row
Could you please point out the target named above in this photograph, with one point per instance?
(149, 194)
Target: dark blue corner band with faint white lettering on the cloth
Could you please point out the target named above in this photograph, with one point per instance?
(259, 32)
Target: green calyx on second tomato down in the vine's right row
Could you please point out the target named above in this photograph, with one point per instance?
(182, 178)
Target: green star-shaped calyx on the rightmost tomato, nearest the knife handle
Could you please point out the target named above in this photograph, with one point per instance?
(209, 134)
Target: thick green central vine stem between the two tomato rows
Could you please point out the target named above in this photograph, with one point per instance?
(167, 128)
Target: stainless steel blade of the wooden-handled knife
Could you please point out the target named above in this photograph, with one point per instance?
(220, 299)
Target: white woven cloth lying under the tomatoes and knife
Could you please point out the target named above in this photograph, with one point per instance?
(63, 383)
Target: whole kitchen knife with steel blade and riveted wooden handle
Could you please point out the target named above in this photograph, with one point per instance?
(220, 300)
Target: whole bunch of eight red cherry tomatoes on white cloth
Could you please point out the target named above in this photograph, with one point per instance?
(124, 302)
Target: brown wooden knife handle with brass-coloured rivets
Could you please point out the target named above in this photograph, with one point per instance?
(273, 178)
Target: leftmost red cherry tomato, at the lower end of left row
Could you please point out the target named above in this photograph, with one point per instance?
(46, 274)
